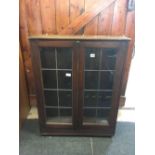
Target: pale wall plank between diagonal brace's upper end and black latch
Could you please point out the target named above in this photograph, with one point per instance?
(119, 18)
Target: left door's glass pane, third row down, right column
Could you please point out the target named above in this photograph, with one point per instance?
(65, 98)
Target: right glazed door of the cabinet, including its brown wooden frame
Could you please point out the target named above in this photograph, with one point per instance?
(101, 66)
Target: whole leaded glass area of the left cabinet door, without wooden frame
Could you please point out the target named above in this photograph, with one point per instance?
(56, 71)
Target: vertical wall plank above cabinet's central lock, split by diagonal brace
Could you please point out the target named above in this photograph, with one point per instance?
(76, 9)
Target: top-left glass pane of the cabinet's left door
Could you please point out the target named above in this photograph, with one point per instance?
(47, 56)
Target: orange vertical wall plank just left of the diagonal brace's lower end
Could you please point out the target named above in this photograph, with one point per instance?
(48, 16)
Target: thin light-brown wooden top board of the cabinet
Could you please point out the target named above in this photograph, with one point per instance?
(77, 37)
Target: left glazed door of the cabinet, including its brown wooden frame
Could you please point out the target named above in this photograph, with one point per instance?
(53, 69)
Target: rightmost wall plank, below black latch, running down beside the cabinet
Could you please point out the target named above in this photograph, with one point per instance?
(130, 32)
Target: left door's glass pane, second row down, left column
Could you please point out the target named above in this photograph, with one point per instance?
(49, 79)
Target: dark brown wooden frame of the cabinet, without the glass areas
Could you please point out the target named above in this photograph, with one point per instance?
(79, 46)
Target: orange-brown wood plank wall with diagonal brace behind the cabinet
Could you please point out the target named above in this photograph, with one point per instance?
(85, 17)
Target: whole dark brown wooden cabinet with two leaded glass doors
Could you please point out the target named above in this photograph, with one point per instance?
(78, 83)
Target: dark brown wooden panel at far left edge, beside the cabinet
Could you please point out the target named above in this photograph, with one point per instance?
(24, 105)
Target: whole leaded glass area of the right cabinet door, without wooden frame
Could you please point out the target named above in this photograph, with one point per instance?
(99, 75)
